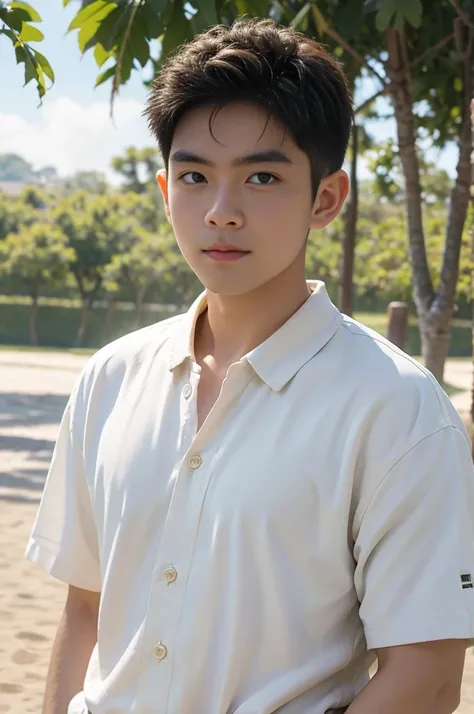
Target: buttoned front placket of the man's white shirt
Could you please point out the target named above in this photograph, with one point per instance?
(194, 471)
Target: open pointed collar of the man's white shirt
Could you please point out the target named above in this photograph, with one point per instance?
(285, 352)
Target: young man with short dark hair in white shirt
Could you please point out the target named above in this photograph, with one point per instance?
(253, 501)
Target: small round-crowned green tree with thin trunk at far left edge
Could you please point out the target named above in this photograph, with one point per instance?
(37, 256)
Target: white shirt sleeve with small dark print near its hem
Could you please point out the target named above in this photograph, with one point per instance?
(414, 548)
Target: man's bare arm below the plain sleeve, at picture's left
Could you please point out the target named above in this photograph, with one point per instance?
(75, 639)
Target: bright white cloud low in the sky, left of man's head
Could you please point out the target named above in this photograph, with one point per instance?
(72, 137)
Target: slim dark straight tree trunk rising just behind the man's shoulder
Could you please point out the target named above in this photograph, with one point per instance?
(346, 277)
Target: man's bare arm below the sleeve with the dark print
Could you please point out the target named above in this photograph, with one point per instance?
(423, 678)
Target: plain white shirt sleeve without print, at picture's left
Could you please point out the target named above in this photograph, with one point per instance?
(64, 536)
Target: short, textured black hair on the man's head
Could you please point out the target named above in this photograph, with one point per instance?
(284, 71)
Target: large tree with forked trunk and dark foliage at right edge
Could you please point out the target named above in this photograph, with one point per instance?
(405, 50)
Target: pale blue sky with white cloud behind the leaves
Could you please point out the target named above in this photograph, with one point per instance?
(72, 130)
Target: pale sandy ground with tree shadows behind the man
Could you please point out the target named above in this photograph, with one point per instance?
(33, 393)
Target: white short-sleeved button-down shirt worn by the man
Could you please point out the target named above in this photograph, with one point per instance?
(325, 508)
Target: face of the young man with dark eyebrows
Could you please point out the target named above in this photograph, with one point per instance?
(239, 198)
